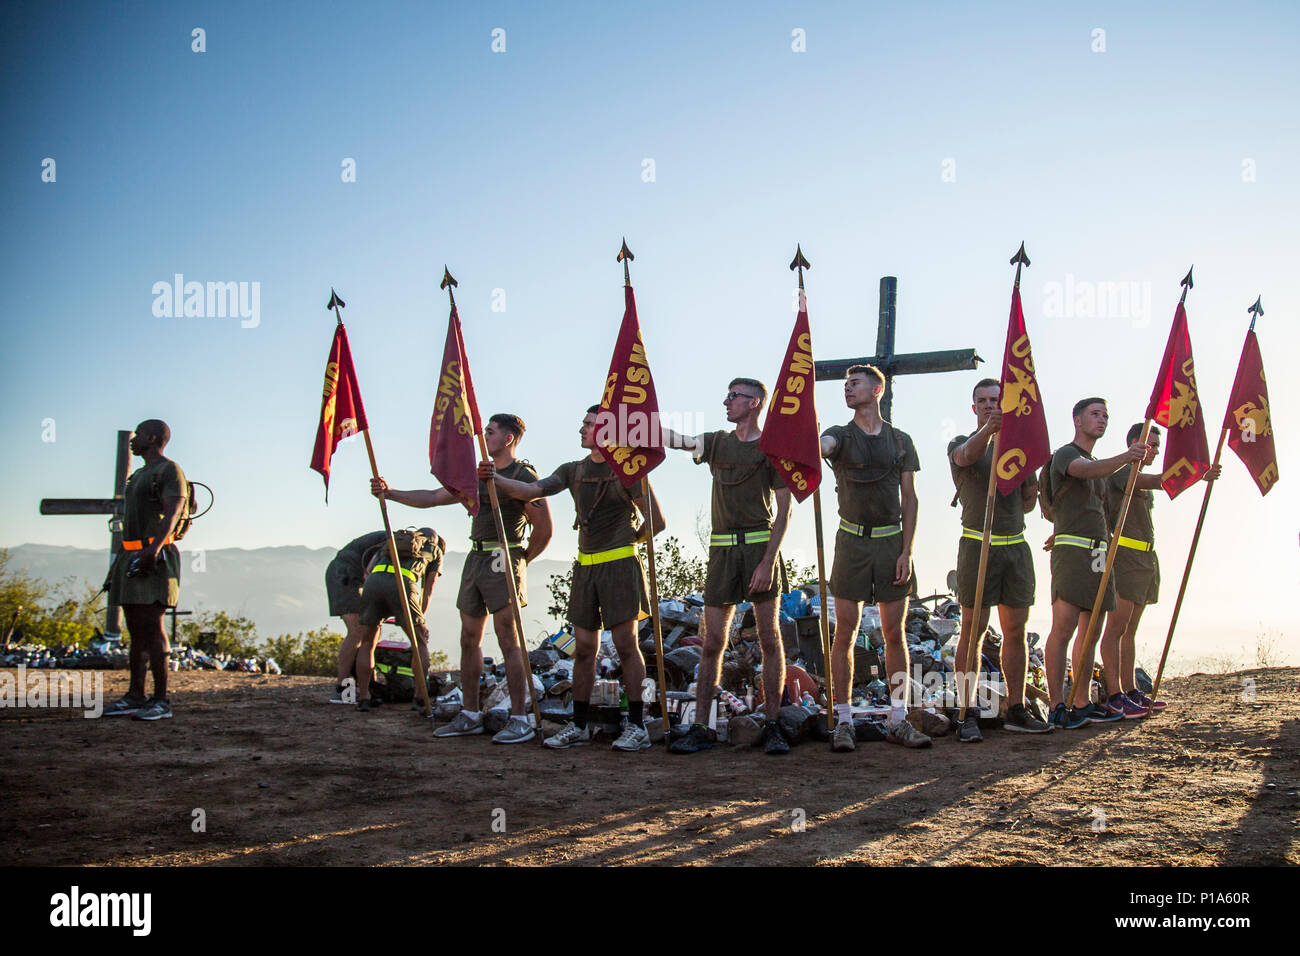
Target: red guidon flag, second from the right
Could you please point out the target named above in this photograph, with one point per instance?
(1176, 405)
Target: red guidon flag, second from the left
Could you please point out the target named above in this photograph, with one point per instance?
(456, 422)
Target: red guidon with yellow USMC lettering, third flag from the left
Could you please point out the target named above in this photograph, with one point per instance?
(627, 426)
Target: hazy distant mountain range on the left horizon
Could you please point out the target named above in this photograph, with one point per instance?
(283, 590)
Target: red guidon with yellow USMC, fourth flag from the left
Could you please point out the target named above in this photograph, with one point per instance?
(790, 436)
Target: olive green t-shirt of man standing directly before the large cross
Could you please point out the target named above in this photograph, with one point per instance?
(869, 473)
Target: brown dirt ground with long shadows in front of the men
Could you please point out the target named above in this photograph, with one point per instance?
(283, 777)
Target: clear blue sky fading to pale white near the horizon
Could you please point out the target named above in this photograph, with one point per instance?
(523, 170)
